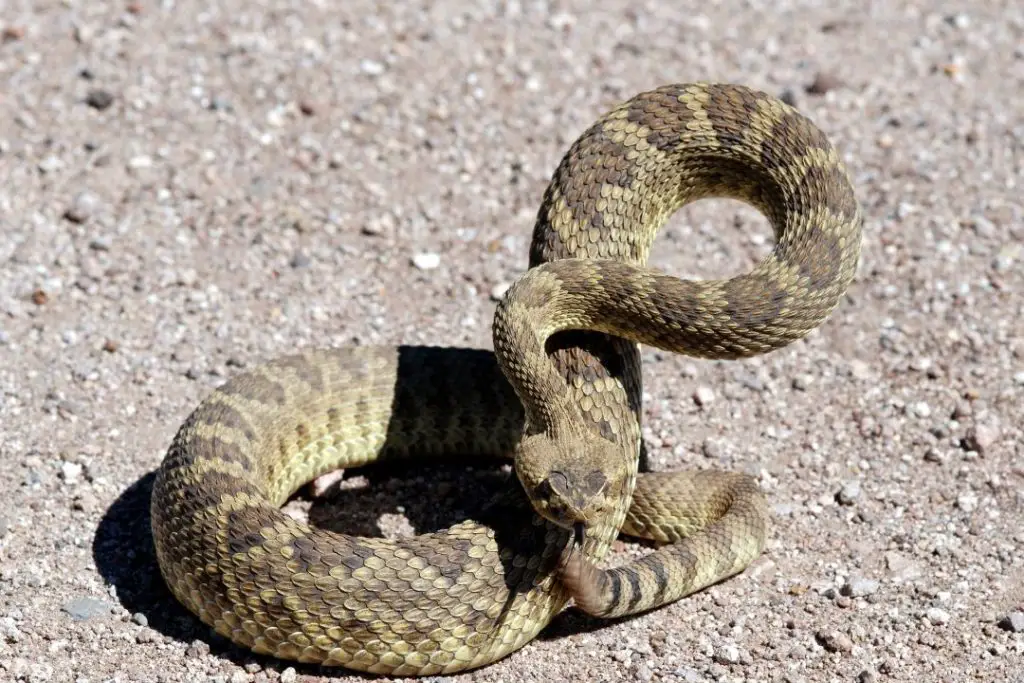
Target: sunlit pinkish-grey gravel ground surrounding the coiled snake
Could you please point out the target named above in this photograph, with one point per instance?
(189, 189)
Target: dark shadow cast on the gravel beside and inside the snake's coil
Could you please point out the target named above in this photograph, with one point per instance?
(368, 504)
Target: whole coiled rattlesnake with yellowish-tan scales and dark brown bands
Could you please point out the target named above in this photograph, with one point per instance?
(561, 395)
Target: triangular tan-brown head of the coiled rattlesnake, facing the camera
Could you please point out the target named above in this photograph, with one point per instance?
(572, 484)
